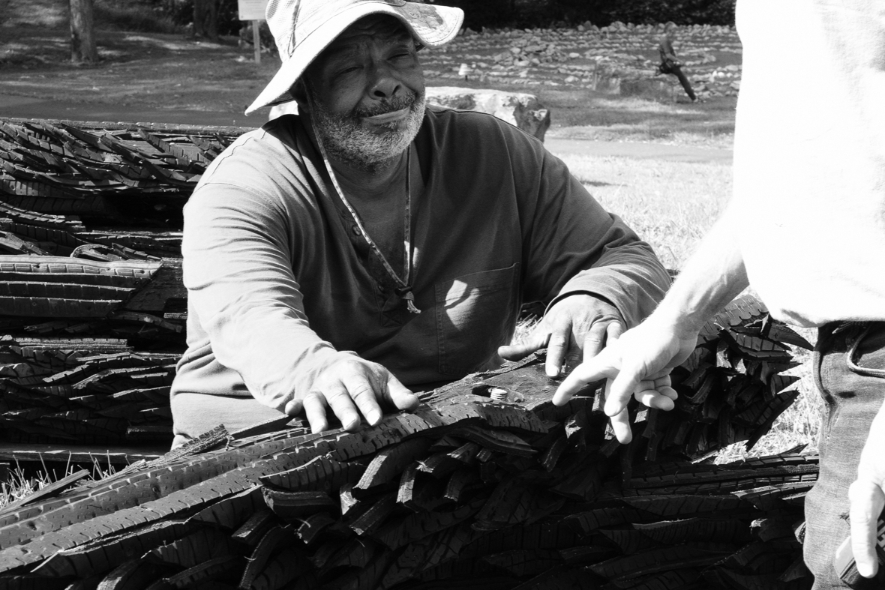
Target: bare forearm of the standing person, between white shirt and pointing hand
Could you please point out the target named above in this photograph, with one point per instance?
(712, 277)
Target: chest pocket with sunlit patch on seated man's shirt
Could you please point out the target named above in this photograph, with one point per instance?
(475, 314)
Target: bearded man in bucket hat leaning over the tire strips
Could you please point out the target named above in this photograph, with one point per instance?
(367, 247)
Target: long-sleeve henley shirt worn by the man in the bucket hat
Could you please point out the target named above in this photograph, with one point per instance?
(279, 279)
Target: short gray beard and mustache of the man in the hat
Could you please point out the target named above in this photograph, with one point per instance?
(346, 140)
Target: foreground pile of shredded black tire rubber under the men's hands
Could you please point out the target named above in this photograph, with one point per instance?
(486, 485)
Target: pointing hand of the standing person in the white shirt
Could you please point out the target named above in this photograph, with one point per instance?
(639, 364)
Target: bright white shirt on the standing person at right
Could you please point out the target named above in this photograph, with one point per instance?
(809, 157)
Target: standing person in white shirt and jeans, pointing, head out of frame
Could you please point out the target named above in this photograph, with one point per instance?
(806, 226)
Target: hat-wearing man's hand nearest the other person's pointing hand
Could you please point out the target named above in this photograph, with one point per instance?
(575, 329)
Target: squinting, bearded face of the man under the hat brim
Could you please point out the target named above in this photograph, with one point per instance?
(366, 92)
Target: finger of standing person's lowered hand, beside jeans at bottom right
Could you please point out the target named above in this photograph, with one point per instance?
(867, 501)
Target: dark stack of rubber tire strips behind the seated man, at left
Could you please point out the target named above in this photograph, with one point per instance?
(92, 307)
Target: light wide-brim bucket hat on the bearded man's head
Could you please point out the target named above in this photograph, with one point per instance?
(302, 29)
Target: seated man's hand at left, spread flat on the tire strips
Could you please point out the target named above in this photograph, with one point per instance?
(351, 386)
